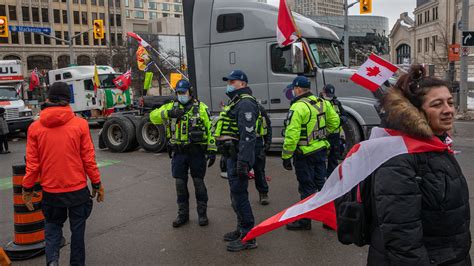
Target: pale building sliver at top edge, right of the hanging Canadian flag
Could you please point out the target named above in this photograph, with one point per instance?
(311, 8)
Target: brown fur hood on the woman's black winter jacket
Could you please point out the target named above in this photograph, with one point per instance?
(400, 114)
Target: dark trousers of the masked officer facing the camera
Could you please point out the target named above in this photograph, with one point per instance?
(181, 164)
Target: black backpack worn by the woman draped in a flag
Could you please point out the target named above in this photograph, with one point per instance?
(354, 209)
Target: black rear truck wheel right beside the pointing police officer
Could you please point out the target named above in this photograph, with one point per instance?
(152, 138)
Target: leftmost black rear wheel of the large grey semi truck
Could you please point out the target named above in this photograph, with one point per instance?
(119, 134)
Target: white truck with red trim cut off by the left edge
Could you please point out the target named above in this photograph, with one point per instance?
(18, 116)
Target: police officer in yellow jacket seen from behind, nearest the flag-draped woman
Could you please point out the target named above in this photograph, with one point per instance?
(308, 121)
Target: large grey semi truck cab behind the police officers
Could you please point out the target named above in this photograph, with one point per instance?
(223, 35)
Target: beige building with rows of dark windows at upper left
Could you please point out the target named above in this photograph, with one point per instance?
(44, 53)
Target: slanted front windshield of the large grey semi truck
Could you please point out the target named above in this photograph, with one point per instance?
(325, 52)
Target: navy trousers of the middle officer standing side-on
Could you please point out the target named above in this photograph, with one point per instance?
(240, 198)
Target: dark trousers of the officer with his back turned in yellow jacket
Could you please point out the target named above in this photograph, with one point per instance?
(310, 172)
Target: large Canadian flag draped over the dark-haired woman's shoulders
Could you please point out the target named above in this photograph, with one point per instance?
(363, 159)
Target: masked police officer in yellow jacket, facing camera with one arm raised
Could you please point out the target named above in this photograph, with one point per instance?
(188, 129)
